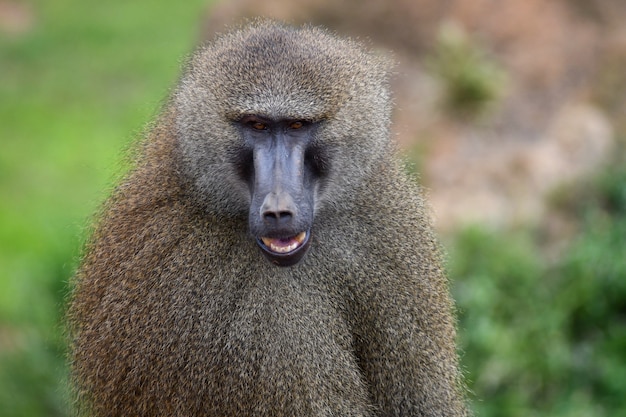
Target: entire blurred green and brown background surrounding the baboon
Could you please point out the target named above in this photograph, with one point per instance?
(512, 114)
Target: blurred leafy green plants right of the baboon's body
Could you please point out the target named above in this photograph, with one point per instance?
(548, 337)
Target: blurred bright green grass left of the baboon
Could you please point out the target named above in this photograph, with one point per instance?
(74, 91)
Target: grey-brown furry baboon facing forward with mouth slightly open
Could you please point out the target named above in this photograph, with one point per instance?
(267, 255)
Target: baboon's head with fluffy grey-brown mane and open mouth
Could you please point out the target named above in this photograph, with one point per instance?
(280, 123)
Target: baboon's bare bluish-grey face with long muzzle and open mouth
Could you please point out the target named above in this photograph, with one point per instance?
(283, 169)
